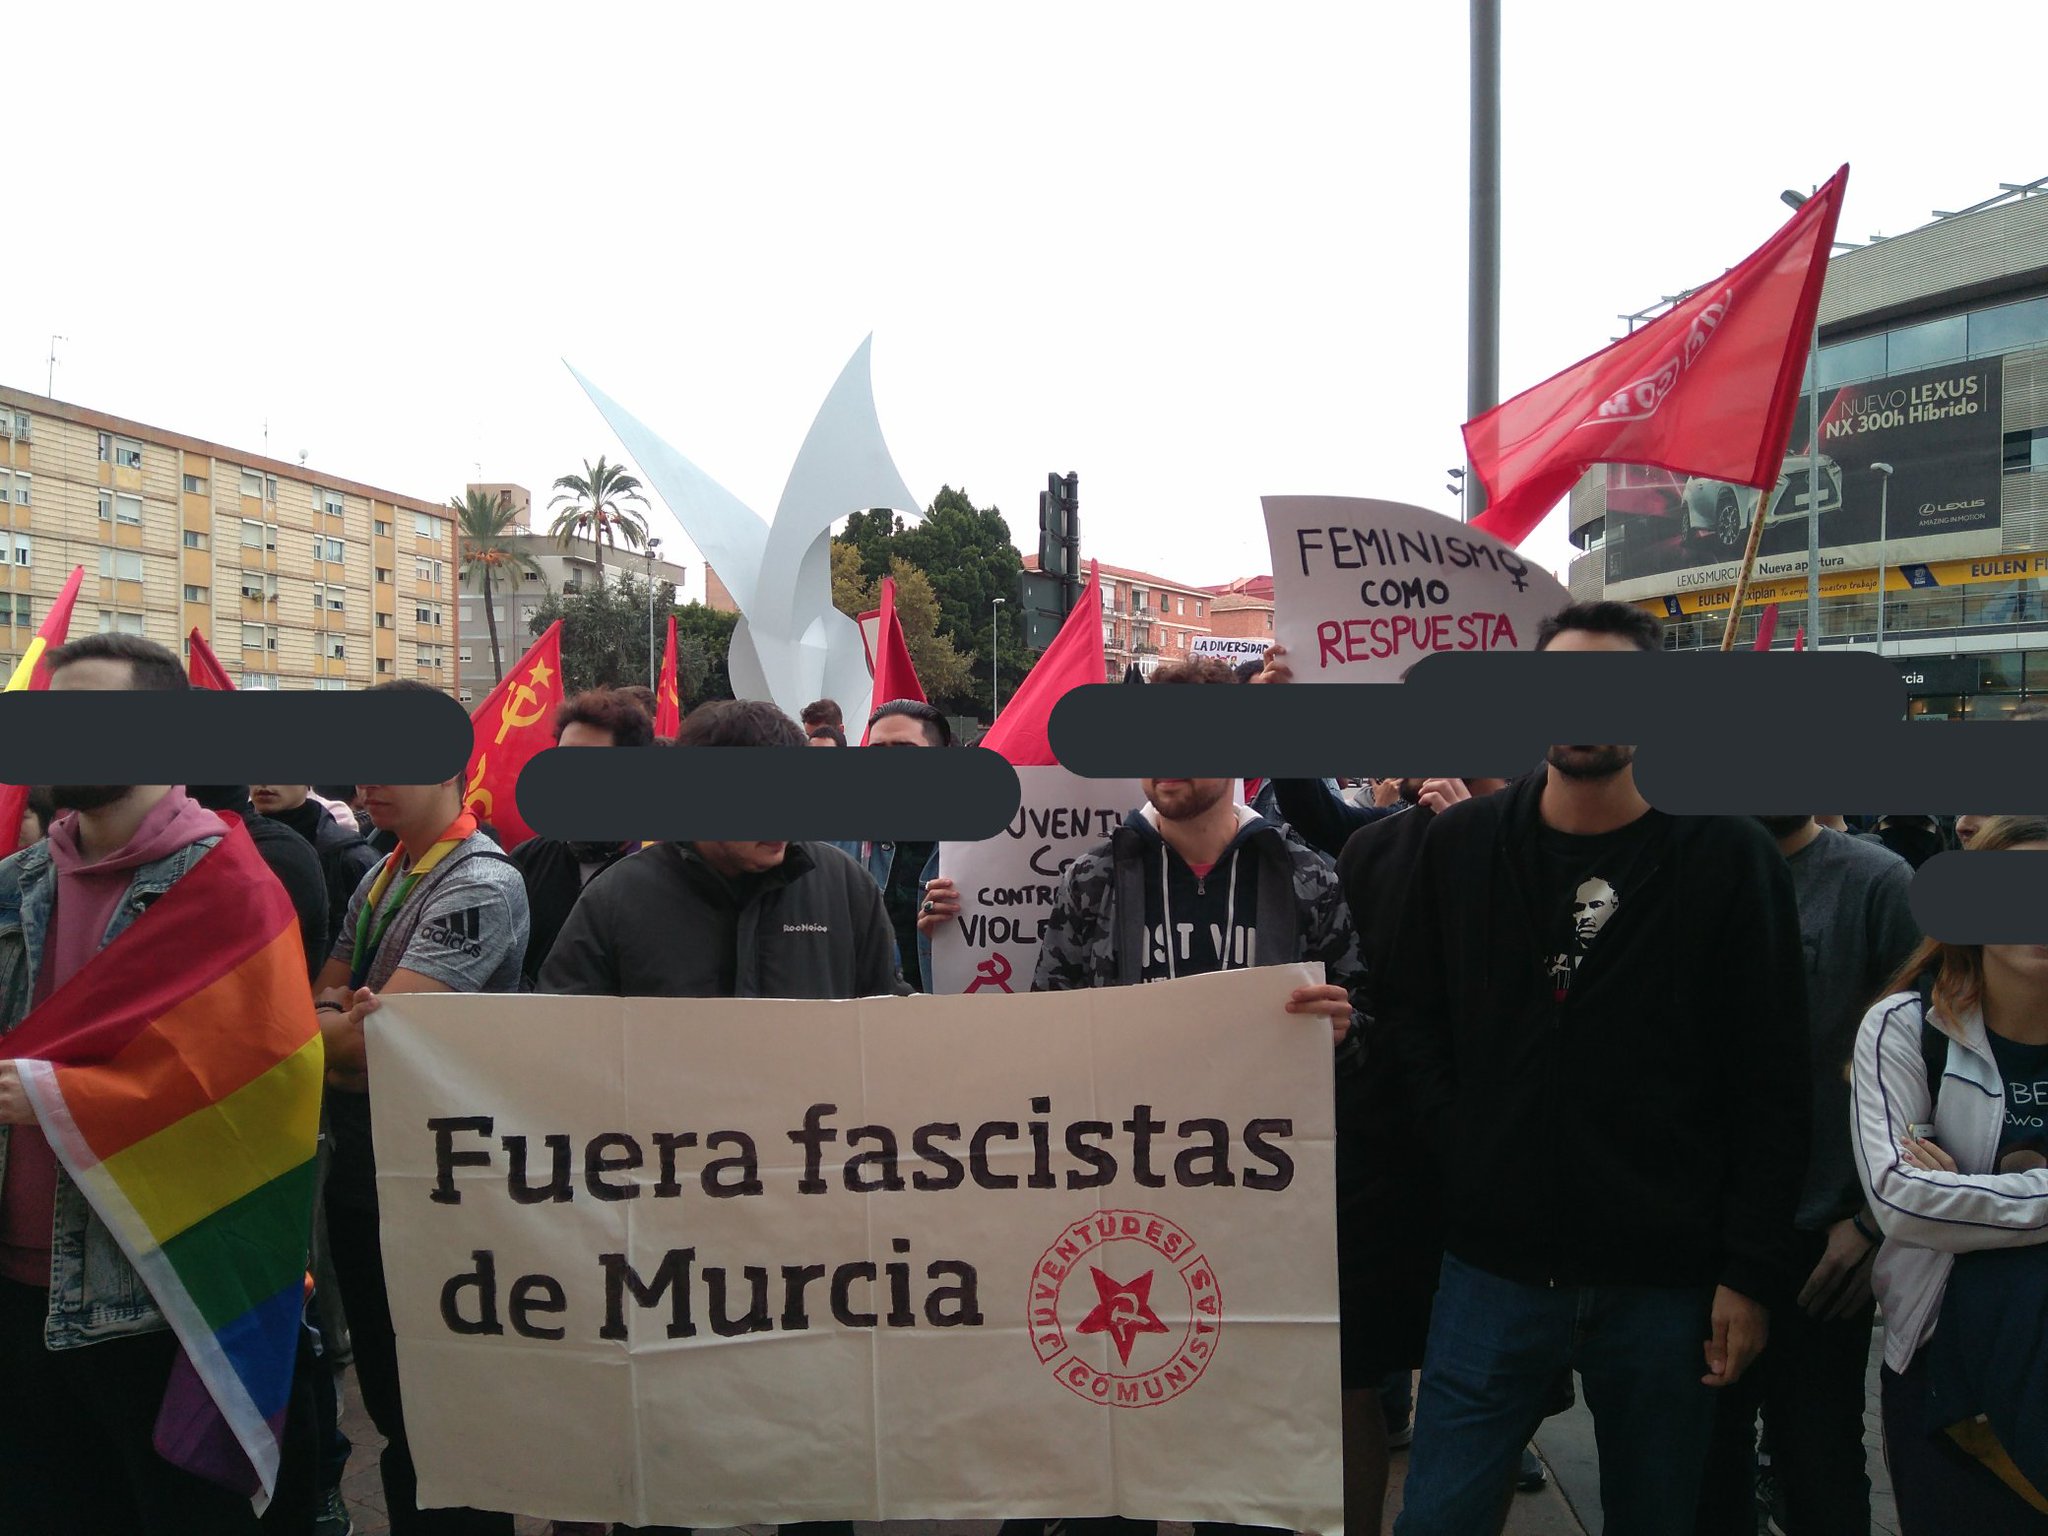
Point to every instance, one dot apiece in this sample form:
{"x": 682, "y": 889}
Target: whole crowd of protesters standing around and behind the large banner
{"x": 1666, "y": 1111}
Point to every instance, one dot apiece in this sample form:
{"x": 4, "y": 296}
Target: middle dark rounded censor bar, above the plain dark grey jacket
{"x": 769, "y": 796}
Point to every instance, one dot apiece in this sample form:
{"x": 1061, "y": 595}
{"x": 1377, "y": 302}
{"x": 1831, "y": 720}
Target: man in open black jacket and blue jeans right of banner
{"x": 1603, "y": 1019}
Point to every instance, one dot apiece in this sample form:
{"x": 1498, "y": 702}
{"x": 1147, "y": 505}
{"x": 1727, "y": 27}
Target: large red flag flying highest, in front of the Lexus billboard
{"x": 1707, "y": 390}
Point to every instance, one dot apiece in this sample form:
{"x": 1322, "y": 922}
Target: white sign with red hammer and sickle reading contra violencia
{"x": 1009, "y": 884}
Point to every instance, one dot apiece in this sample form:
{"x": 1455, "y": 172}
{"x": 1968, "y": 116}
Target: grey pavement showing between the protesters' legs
{"x": 1570, "y": 1506}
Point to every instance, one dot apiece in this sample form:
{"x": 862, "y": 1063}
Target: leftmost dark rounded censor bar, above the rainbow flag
{"x": 200, "y": 736}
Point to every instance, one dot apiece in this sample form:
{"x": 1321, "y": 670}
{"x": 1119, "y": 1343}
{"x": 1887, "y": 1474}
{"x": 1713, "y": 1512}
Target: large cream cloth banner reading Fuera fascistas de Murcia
{"x": 718, "y": 1263}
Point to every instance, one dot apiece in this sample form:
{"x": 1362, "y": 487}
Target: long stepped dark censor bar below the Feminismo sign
{"x": 1717, "y": 734}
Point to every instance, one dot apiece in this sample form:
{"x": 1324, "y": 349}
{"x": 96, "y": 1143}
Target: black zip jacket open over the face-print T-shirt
{"x": 1652, "y": 1129}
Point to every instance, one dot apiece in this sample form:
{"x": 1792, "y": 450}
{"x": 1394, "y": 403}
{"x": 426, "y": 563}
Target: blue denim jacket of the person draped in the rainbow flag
{"x": 93, "y": 1289}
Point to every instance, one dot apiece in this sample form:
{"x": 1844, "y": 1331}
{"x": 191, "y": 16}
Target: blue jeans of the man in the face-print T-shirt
{"x": 1488, "y": 1377}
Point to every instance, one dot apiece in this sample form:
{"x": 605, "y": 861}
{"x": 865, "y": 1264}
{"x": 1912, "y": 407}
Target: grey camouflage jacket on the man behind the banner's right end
{"x": 1099, "y": 931}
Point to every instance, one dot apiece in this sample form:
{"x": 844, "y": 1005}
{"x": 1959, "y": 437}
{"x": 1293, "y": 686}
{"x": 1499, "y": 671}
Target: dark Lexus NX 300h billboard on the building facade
{"x": 1940, "y": 433}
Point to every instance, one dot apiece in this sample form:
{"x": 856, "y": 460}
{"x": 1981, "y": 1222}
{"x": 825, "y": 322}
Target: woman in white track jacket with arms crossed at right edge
{"x": 1951, "y": 1082}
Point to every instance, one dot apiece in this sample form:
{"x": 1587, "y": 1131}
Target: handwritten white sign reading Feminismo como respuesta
{"x": 1363, "y": 591}
